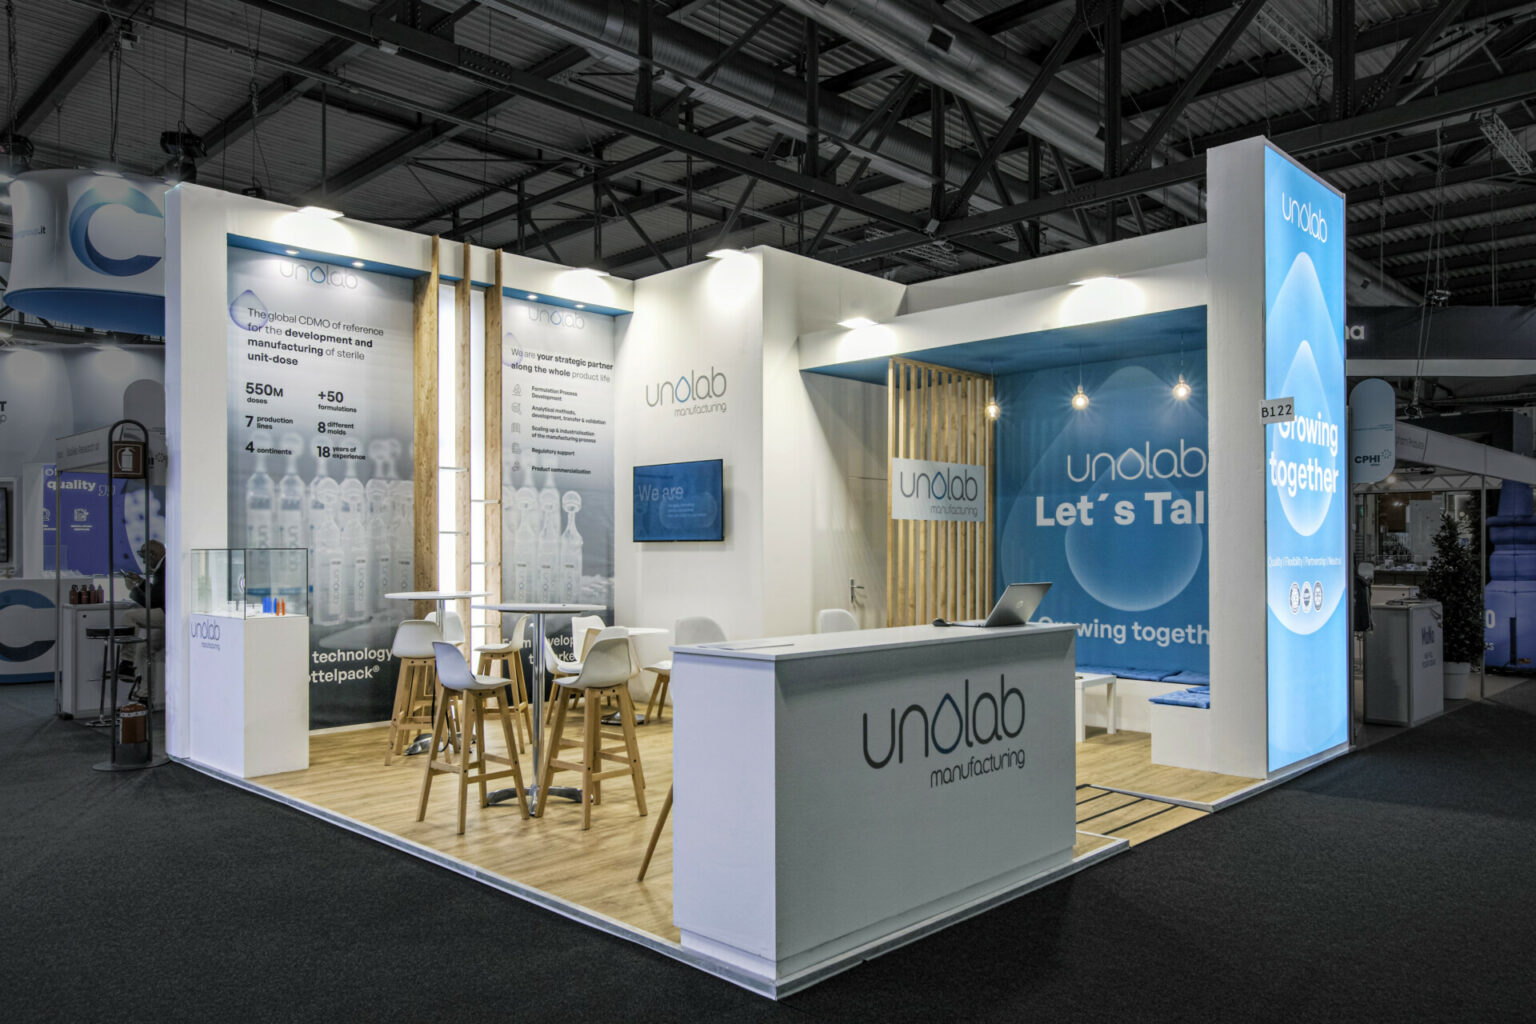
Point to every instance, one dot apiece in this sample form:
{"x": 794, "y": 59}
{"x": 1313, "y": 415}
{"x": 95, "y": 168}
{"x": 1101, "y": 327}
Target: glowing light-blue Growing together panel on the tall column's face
{"x": 1306, "y": 471}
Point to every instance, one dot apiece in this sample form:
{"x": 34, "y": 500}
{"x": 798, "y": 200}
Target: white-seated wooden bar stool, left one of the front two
{"x": 474, "y": 761}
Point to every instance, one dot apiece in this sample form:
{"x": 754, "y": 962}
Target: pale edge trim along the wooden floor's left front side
{"x": 529, "y": 894}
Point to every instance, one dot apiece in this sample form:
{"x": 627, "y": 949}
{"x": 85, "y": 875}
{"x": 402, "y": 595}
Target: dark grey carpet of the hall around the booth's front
{"x": 1392, "y": 885}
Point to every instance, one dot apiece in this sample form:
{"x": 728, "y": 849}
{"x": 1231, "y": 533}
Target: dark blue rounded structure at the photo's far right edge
{"x": 1511, "y": 598}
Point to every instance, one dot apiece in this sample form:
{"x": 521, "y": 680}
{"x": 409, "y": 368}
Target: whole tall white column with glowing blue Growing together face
{"x": 1277, "y": 331}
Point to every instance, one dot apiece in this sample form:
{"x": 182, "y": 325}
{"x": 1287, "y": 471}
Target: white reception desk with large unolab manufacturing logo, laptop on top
{"x": 838, "y": 794}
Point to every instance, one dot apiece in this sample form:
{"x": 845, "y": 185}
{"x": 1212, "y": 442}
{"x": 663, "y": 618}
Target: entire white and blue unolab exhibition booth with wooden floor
{"x": 737, "y": 497}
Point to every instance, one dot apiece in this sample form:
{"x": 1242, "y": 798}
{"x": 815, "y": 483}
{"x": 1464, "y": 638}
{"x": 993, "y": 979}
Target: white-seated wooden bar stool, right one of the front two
{"x": 604, "y": 673}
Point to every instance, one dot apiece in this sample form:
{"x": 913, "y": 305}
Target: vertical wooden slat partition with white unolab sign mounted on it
{"x": 938, "y": 569}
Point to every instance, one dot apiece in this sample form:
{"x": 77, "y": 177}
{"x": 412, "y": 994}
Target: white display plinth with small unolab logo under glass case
{"x": 250, "y": 710}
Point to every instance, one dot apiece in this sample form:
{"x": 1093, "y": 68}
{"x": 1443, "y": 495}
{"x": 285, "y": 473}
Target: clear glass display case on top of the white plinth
{"x": 250, "y": 583}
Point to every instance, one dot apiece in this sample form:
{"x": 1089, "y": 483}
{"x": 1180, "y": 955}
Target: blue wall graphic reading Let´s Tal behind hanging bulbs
{"x": 1110, "y": 504}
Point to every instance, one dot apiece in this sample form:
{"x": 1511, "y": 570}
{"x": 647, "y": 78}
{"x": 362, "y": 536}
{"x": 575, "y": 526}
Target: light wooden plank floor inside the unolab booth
{"x": 597, "y": 868}
